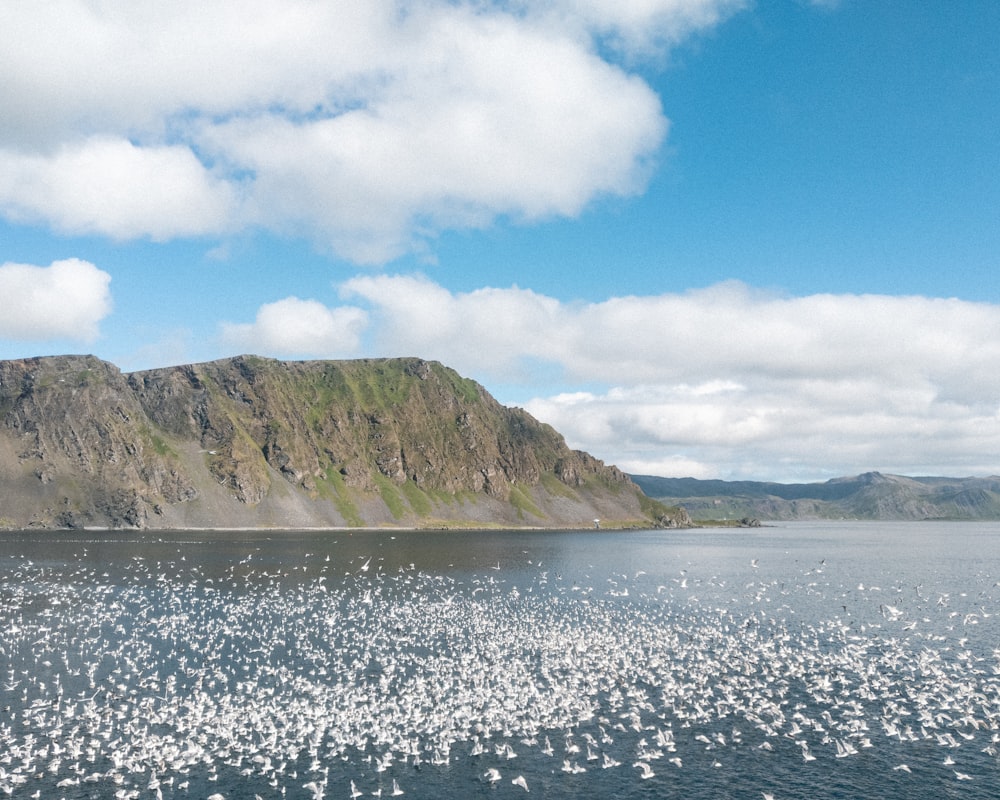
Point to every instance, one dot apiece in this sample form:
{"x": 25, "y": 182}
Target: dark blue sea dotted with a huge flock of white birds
{"x": 798, "y": 660}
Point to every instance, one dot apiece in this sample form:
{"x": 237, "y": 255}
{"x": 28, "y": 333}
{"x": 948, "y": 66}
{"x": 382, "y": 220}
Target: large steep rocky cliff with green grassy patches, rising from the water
{"x": 254, "y": 442}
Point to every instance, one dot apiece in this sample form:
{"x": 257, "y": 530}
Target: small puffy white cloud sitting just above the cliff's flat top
{"x": 294, "y": 327}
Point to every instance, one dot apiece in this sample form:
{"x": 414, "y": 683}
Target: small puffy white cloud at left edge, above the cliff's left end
{"x": 66, "y": 300}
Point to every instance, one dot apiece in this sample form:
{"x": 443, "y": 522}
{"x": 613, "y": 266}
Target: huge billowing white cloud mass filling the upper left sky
{"x": 369, "y": 126}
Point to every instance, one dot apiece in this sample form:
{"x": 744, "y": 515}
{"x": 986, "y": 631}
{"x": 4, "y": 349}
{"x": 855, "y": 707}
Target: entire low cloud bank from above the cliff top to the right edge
{"x": 724, "y": 381}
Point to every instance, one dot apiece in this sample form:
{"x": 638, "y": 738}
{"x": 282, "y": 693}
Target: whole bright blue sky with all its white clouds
{"x": 738, "y": 239}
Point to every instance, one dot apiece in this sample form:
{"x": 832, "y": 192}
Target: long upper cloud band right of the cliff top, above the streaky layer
{"x": 724, "y": 332}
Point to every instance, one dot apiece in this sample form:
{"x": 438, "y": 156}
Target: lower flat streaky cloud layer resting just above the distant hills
{"x": 781, "y": 432}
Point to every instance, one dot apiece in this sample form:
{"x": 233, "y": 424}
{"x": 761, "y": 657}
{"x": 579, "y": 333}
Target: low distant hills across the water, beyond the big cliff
{"x": 868, "y": 496}
